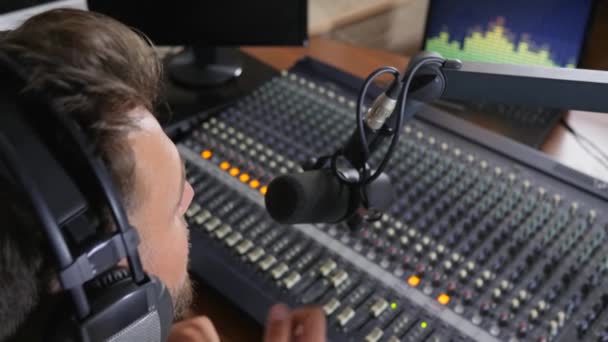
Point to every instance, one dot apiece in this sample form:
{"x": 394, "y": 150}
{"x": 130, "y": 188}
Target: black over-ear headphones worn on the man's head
{"x": 52, "y": 161}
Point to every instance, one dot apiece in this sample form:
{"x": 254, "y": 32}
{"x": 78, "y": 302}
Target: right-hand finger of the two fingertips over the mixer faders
{"x": 309, "y": 324}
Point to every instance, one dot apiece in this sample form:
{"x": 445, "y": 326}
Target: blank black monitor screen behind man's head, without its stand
{"x": 213, "y": 23}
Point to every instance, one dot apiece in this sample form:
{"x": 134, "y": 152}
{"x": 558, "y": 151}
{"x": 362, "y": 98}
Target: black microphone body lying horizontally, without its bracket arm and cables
{"x": 322, "y": 196}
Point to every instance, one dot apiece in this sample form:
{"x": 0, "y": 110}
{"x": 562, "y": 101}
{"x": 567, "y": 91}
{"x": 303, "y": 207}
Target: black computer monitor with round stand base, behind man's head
{"x": 204, "y": 26}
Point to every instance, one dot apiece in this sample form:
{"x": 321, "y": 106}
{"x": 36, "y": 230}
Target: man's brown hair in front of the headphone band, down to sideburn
{"x": 94, "y": 69}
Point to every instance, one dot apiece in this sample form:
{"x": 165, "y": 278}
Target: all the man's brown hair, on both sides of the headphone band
{"x": 95, "y": 70}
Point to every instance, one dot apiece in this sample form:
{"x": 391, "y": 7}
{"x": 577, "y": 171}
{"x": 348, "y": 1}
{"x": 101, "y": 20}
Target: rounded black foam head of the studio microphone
{"x": 309, "y": 197}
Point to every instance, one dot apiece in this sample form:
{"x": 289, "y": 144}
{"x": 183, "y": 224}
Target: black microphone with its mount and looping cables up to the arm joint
{"x": 343, "y": 186}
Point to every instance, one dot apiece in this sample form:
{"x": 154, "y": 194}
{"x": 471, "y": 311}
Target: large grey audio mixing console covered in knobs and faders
{"x": 477, "y": 246}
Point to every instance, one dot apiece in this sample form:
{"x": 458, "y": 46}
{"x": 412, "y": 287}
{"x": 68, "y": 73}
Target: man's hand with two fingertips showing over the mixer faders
{"x": 299, "y": 325}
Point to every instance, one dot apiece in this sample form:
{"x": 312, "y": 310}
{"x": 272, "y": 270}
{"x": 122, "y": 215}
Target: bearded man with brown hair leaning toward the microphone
{"x": 108, "y": 79}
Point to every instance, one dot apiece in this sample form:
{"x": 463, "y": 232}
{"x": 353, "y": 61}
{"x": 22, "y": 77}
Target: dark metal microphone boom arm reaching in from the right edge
{"x": 562, "y": 88}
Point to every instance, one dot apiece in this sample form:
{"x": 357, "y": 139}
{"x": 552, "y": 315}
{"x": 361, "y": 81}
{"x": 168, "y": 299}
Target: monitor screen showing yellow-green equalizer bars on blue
{"x": 534, "y": 32}
